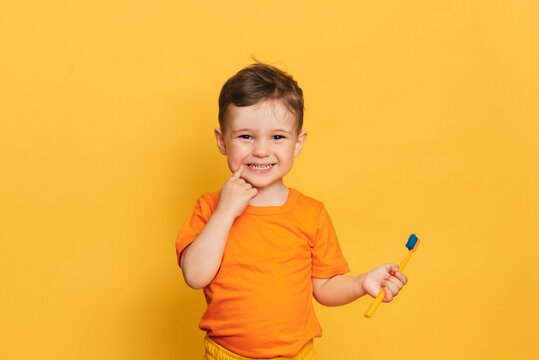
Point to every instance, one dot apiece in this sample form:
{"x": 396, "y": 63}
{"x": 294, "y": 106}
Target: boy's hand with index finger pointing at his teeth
{"x": 235, "y": 195}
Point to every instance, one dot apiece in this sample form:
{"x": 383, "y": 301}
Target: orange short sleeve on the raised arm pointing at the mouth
{"x": 194, "y": 224}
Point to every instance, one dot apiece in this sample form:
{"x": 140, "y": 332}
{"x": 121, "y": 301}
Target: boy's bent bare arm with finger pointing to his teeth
{"x": 200, "y": 261}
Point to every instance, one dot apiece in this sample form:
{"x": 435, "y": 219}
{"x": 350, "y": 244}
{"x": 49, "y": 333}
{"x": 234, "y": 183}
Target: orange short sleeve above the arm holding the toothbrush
{"x": 327, "y": 257}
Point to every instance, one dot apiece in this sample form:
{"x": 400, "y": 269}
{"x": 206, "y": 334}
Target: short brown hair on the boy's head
{"x": 259, "y": 82}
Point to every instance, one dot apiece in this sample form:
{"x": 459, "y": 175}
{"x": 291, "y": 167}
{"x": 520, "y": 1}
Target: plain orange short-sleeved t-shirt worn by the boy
{"x": 260, "y": 301}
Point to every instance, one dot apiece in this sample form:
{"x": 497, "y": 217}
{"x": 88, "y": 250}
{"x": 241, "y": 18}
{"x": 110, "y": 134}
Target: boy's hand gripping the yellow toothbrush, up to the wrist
{"x": 386, "y": 277}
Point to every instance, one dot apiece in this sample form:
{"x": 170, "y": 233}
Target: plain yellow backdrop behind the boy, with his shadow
{"x": 422, "y": 116}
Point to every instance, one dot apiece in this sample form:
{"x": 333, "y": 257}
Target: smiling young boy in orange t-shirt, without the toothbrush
{"x": 261, "y": 250}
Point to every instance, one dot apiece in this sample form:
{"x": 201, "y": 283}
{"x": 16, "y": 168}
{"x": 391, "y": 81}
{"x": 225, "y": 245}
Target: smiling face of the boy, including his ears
{"x": 263, "y": 138}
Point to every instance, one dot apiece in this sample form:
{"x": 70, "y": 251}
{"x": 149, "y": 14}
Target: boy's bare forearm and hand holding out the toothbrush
{"x": 342, "y": 289}
